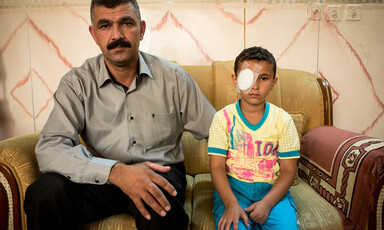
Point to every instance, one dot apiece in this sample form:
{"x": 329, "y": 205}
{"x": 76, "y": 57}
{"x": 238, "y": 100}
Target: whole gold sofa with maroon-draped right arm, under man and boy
{"x": 340, "y": 173}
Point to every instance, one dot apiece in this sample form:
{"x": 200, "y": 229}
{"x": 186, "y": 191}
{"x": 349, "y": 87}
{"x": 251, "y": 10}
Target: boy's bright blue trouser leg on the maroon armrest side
{"x": 287, "y": 221}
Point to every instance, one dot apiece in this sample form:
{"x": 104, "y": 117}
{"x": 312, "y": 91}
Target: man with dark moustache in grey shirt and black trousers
{"x": 130, "y": 109}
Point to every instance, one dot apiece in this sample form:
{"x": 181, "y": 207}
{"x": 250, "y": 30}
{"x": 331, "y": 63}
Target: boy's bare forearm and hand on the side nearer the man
{"x": 233, "y": 211}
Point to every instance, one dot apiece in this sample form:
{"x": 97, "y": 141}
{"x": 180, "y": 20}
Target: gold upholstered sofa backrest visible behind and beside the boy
{"x": 295, "y": 91}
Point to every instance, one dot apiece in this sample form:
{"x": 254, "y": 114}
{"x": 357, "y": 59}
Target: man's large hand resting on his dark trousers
{"x": 141, "y": 183}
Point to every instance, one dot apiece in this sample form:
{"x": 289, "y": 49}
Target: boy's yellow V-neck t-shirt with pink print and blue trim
{"x": 252, "y": 151}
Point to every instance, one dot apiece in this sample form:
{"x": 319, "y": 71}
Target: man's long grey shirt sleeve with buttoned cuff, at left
{"x": 59, "y": 149}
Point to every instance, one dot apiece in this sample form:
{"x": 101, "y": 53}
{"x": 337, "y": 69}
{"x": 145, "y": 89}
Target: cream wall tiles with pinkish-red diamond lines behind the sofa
{"x": 41, "y": 41}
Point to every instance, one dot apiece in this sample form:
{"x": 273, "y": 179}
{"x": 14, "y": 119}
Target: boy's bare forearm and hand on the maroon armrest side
{"x": 260, "y": 210}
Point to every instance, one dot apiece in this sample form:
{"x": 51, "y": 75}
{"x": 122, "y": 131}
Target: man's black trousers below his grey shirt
{"x": 55, "y": 202}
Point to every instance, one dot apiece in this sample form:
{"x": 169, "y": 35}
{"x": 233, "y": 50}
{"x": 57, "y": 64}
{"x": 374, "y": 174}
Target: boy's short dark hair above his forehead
{"x": 255, "y": 53}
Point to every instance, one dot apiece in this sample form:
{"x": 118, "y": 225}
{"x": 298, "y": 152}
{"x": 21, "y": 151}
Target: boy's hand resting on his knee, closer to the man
{"x": 231, "y": 215}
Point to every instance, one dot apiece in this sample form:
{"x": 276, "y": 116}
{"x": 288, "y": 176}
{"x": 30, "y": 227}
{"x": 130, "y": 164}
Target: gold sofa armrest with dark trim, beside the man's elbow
{"x": 18, "y": 169}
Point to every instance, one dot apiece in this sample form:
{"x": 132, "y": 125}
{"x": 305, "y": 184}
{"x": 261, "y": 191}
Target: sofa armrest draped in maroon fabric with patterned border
{"x": 345, "y": 168}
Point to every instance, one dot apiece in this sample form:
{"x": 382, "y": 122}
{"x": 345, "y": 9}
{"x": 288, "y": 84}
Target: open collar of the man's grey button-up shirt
{"x": 104, "y": 75}
